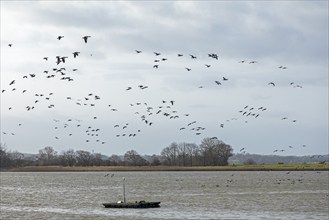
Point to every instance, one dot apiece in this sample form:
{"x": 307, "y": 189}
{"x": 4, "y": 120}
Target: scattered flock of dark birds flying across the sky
{"x": 146, "y": 112}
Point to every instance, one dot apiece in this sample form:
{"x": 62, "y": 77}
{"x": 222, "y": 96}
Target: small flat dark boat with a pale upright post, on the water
{"x": 124, "y": 204}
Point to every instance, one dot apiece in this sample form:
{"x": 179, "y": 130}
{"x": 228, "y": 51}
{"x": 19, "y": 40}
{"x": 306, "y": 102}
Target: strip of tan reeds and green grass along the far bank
{"x": 267, "y": 167}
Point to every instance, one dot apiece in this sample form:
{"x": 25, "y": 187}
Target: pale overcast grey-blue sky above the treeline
{"x": 264, "y": 87}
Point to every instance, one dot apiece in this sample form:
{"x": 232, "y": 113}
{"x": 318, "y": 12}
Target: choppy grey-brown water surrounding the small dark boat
{"x": 183, "y": 195}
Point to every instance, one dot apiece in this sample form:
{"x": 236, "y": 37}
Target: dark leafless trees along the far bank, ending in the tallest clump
{"x": 211, "y": 152}
